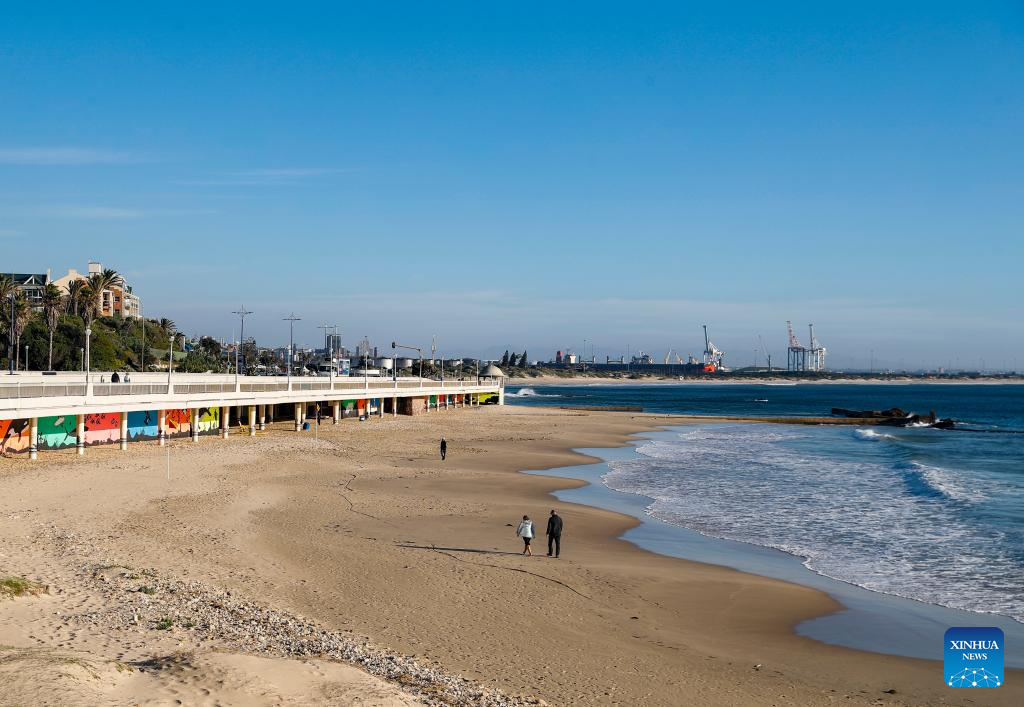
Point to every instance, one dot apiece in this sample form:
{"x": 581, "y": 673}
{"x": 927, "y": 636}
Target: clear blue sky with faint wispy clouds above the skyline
{"x": 532, "y": 176}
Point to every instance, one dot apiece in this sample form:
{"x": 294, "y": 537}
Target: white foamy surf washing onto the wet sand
{"x": 874, "y": 519}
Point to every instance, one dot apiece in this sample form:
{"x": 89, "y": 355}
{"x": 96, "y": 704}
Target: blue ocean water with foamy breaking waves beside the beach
{"x": 928, "y": 515}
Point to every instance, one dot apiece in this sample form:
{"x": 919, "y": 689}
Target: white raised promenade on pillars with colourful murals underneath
{"x": 47, "y": 412}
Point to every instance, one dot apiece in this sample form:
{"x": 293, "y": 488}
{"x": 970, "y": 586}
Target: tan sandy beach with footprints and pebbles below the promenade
{"x": 359, "y": 569}
